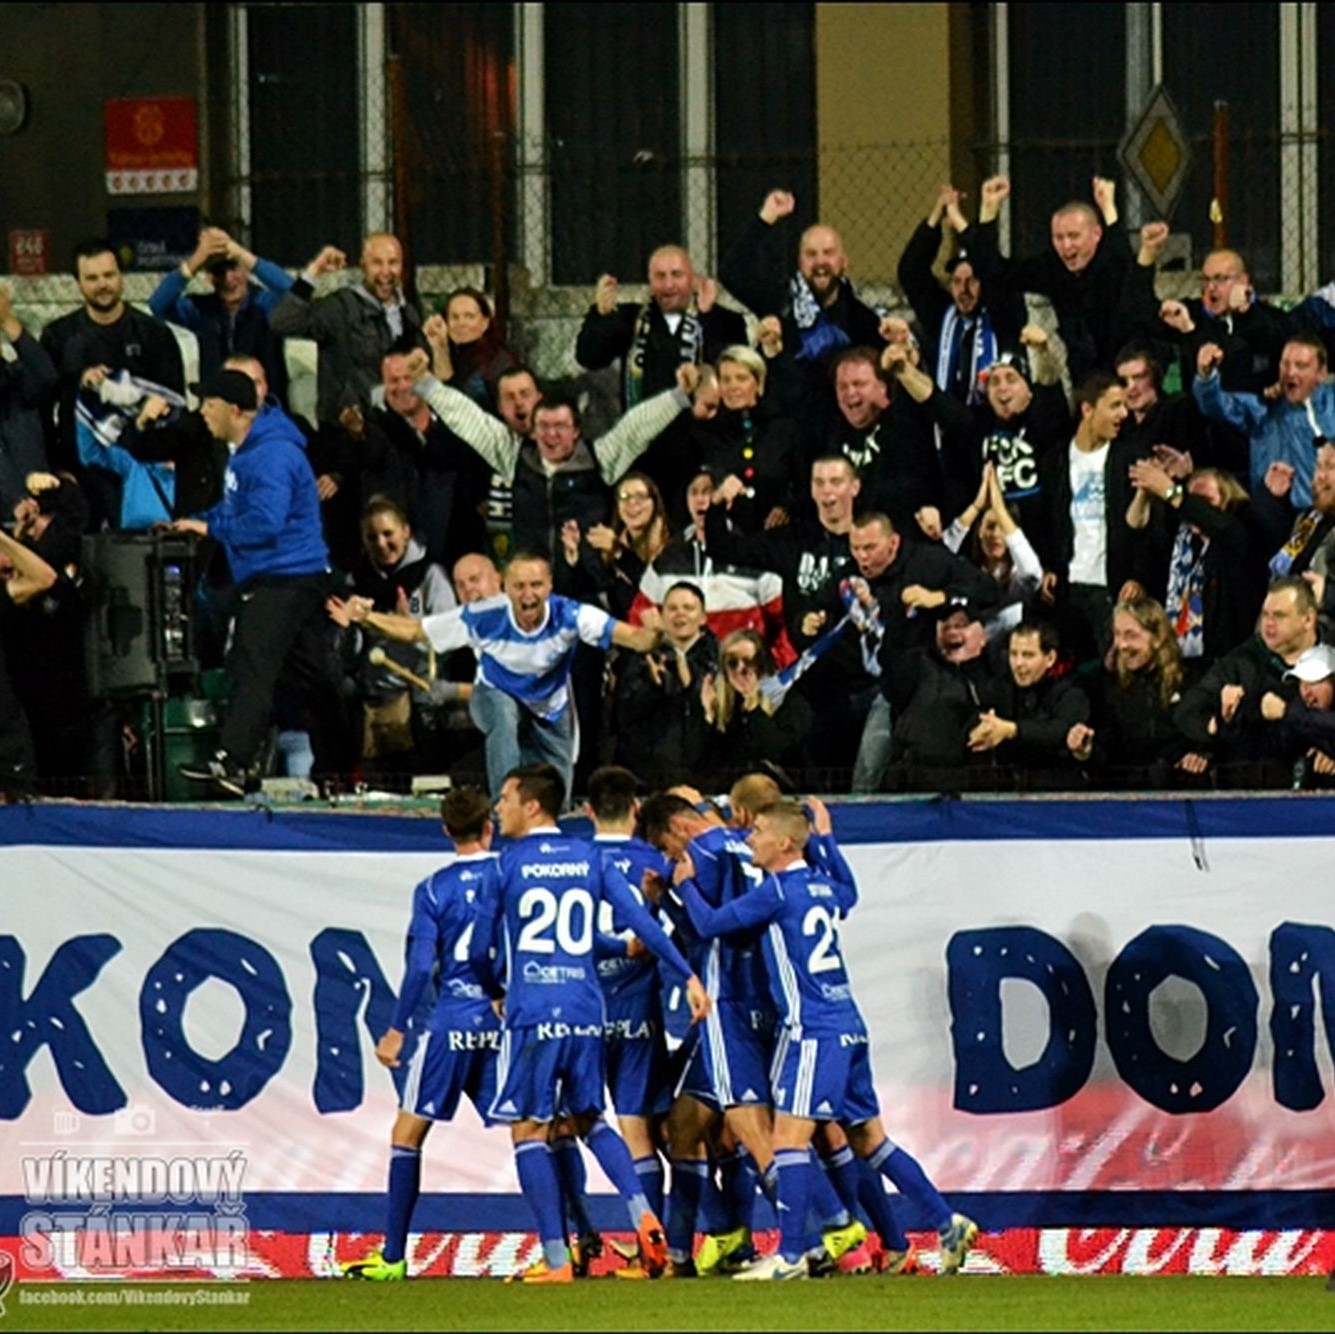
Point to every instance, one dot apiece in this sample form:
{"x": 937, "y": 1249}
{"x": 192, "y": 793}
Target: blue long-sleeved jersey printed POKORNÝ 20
{"x": 543, "y": 915}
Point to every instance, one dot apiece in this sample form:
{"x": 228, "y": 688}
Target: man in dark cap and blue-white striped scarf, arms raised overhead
{"x": 965, "y": 333}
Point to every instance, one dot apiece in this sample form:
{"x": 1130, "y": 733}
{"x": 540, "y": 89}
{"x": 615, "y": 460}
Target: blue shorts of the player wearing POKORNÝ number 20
{"x": 549, "y": 1070}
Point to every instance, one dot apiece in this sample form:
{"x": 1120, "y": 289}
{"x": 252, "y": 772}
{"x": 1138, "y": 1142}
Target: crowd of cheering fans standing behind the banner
{"x": 872, "y": 553}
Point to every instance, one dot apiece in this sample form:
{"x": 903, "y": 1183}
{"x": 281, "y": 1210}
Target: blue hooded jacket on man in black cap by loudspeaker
{"x": 269, "y": 519}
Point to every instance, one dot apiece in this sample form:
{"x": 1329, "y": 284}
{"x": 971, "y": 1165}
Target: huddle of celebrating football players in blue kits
{"x": 691, "y": 970}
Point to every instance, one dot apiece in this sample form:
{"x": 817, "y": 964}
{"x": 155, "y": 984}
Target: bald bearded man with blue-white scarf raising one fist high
{"x": 818, "y": 306}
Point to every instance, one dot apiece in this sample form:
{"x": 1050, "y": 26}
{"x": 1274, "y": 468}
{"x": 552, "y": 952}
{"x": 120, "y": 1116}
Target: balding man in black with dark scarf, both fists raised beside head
{"x": 682, "y": 322}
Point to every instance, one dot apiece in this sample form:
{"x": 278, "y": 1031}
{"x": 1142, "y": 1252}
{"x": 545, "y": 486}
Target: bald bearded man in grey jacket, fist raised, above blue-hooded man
{"x": 354, "y": 326}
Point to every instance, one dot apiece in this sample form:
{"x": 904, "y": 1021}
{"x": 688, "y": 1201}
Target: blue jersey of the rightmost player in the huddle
{"x": 800, "y": 907}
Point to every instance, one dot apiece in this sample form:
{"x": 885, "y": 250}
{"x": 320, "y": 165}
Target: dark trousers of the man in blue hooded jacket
{"x": 282, "y": 635}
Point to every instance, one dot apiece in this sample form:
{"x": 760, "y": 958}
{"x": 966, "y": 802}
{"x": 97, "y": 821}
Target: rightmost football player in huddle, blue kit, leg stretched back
{"x": 823, "y": 1065}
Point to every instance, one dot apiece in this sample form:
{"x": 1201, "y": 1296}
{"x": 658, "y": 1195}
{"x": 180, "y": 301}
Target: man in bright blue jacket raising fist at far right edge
{"x": 1285, "y": 429}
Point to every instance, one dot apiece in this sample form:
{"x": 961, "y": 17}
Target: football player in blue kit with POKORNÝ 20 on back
{"x": 540, "y": 918}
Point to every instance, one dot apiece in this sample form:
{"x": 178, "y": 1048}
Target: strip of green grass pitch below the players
{"x": 970, "y": 1303}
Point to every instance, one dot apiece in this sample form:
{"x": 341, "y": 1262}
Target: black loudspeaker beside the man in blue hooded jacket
{"x": 140, "y": 590}
